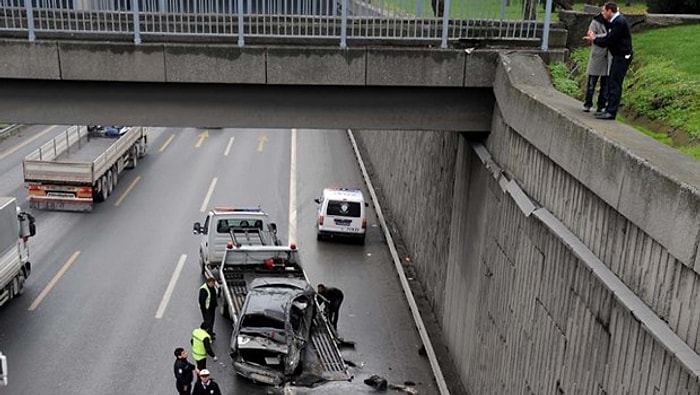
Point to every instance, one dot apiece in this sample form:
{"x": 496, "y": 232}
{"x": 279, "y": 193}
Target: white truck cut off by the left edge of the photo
{"x": 16, "y": 227}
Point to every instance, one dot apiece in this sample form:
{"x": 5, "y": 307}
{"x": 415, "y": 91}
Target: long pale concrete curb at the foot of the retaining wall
{"x": 430, "y": 352}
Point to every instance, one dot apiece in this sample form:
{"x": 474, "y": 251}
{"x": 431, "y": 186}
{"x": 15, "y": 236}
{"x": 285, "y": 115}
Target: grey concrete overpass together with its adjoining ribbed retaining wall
{"x": 560, "y": 253}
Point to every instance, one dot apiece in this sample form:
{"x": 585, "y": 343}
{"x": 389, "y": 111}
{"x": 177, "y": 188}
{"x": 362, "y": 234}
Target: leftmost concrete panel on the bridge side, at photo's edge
{"x": 22, "y": 59}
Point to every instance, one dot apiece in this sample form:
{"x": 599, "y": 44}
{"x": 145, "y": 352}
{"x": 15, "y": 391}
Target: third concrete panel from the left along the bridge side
{"x": 215, "y": 64}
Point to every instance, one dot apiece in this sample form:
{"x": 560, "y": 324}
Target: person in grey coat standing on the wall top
{"x": 598, "y": 66}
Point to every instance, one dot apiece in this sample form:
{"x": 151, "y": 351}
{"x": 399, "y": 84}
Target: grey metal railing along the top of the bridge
{"x": 343, "y": 20}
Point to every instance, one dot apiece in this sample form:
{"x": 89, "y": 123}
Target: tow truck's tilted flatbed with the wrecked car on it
{"x": 281, "y": 334}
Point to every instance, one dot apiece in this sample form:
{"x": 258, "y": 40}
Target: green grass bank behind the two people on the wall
{"x": 661, "y": 97}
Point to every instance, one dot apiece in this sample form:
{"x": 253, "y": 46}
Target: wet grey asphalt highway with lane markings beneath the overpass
{"x": 88, "y": 323}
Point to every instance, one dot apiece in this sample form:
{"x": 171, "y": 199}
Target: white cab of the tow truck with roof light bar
{"x": 249, "y": 225}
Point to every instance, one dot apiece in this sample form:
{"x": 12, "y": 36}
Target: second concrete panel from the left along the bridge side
{"x": 112, "y": 62}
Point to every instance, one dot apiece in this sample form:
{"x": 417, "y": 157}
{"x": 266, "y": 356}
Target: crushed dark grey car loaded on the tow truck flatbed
{"x": 273, "y": 329}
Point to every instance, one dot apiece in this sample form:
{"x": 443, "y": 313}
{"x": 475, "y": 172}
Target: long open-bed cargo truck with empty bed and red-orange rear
{"x": 81, "y": 166}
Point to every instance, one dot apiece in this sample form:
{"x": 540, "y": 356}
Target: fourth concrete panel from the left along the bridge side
{"x": 315, "y": 66}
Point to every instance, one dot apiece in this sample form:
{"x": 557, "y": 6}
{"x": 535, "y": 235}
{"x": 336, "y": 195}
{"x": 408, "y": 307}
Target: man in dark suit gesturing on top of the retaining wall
{"x": 619, "y": 43}
